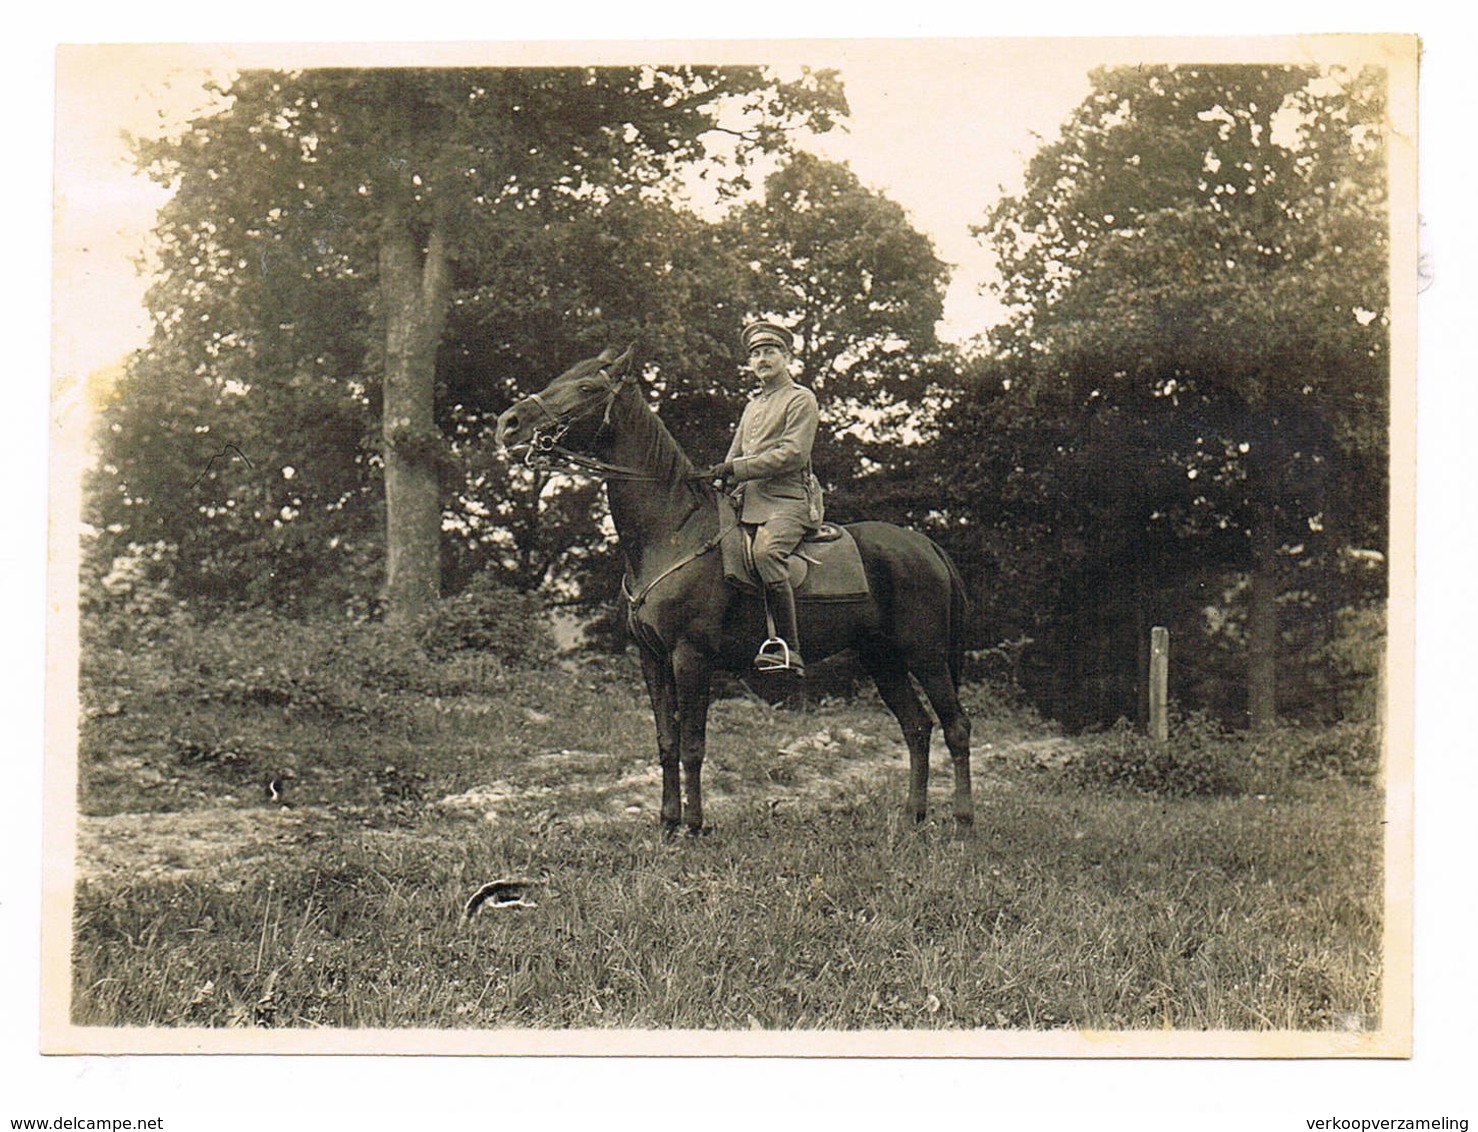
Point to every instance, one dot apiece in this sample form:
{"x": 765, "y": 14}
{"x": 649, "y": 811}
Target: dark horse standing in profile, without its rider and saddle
{"x": 689, "y": 623}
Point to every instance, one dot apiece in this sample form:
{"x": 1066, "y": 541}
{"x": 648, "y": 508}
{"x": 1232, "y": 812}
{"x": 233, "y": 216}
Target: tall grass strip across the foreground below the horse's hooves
{"x": 1202, "y": 916}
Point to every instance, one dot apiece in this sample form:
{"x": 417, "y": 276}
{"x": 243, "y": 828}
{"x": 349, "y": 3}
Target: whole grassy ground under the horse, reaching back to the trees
{"x": 208, "y": 902}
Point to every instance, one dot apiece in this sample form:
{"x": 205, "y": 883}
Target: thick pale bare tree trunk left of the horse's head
{"x": 415, "y": 295}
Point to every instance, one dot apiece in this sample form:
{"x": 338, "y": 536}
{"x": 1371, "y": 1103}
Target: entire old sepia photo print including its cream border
{"x": 753, "y": 549}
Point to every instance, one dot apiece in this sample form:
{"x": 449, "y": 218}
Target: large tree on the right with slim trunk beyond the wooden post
{"x": 1199, "y": 262}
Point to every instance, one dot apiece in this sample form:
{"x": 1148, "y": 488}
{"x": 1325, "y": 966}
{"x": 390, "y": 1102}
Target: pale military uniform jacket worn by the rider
{"x": 772, "y": 457}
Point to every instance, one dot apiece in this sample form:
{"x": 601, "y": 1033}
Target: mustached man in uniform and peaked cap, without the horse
{"x": 771, "y": 459}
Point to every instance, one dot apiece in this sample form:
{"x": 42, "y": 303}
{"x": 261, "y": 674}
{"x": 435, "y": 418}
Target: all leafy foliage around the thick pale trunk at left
{"x": 332, "y": 228}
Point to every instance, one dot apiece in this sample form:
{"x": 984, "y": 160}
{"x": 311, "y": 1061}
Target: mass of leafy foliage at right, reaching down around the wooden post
{"x": 1193, "y": 383}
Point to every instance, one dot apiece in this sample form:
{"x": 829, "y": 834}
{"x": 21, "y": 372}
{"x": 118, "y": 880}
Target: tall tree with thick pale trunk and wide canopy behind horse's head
{"x": 324, "y": 224}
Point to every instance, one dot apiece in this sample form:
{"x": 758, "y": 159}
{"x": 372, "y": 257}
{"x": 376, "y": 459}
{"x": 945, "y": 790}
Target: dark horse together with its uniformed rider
{"x": 688, "y": 620}
